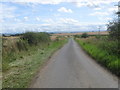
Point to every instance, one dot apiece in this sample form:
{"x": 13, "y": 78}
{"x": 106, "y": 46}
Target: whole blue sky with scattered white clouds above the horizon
{"x": 19, "y": 16}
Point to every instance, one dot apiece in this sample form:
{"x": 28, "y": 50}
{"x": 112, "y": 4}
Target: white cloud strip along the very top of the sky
{"x": 78, "y": 3}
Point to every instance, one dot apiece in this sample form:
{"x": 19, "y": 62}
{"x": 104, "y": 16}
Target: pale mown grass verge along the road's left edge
{"x": 23, "y": 70}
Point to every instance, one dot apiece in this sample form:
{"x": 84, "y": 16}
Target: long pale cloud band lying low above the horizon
{"x": 50, "y": 25}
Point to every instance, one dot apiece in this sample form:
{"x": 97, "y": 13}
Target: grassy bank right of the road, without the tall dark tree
{"x": 104, "y": 51}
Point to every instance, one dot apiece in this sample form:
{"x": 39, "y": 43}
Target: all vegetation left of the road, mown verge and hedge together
{"x": 24, "y": 55}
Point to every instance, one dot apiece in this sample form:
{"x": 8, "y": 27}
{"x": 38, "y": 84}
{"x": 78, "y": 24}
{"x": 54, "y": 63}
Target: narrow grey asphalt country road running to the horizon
{"x": 70, "y": 67}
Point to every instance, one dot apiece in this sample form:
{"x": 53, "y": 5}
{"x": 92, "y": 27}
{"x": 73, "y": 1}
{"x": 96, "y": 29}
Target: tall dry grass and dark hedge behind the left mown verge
{"x": 17, "y": 48}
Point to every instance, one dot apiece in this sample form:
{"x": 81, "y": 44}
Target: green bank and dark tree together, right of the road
{"x": 104, "y": 49}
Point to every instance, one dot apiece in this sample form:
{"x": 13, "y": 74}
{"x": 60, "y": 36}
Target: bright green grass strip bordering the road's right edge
{"x": 102, "y": 56}
